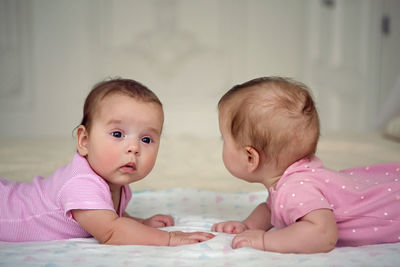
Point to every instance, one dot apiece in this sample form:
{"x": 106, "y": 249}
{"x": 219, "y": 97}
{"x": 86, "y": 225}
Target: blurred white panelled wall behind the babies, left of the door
{"x": 188, "y": 52}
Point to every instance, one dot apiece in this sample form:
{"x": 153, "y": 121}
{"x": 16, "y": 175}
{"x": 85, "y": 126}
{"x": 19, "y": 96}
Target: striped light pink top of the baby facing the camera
{"x": 41, "y": 210}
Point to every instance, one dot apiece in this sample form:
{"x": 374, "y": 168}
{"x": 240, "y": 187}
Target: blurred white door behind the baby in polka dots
{"x": 342, "y": 62}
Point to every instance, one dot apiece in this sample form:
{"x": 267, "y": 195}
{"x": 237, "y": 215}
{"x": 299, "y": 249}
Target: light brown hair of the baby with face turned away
{"x": 274, "y": 115}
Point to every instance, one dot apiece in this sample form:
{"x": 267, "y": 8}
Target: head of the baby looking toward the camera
{"x": 120, "y": 130}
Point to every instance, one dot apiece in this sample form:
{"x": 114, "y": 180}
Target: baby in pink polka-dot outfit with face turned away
{"x": 270, "y": 129}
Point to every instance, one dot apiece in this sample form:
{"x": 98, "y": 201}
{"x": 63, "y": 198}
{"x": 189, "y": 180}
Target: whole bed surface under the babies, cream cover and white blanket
{"x": 189, "y": 182}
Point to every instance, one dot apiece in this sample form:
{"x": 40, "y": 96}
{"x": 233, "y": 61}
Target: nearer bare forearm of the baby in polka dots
{"x": 315, "y": 232}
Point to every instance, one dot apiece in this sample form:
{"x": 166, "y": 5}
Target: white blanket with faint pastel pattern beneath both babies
{"x": 193, "y": 210}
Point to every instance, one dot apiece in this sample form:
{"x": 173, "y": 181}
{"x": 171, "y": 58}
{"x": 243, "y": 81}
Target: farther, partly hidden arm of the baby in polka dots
{"x": 260, "y": 218}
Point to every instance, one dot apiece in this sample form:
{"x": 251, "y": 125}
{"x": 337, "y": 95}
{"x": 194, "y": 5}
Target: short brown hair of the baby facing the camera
{"x": 115, "y": 86}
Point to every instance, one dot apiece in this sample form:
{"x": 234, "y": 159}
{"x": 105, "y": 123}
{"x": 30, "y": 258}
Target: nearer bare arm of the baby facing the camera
{"x": 108, "y": 228}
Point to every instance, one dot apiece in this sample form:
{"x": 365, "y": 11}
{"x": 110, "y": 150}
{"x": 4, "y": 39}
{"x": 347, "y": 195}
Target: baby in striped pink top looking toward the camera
{"x": 117, "y": 144}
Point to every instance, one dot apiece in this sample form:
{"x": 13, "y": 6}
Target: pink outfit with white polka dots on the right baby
{"x": 365, "y": 201}
